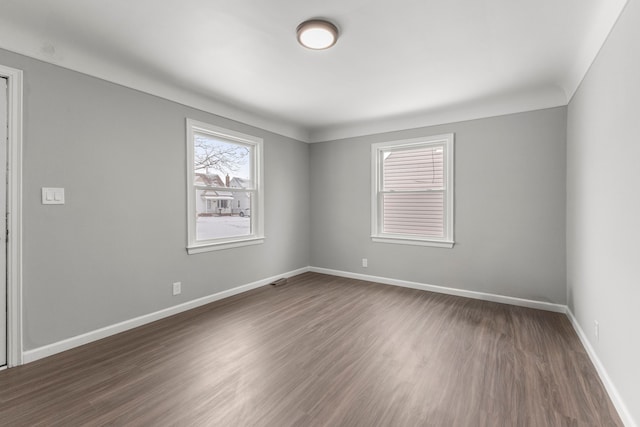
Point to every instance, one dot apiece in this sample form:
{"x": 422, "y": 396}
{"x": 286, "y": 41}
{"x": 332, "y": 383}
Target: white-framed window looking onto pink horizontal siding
{"x": 412, "y": 191}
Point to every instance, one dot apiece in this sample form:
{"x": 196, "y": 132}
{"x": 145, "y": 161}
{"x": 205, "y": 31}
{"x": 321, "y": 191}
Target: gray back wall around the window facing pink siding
{"x": 509, "y": 215}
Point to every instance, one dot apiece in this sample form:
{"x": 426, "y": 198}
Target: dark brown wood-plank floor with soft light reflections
{"x": 321, "y": 351}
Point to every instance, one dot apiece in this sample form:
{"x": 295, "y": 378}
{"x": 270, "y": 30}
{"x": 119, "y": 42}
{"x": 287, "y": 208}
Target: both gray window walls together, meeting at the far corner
{"x": 112, "y": 251}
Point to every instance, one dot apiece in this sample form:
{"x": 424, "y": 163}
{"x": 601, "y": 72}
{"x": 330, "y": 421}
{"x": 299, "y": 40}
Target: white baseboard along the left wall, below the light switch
{"x": 69, "y": 343}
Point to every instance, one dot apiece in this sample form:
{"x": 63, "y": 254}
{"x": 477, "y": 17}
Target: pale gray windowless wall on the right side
{"x": 603, "y": 205}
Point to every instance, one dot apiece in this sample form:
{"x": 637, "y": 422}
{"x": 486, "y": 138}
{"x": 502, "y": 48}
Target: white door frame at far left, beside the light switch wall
{"x": 14, "y": 215}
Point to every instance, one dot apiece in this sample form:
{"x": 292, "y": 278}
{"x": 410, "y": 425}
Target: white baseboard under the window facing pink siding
{"x": 541, "y": 305}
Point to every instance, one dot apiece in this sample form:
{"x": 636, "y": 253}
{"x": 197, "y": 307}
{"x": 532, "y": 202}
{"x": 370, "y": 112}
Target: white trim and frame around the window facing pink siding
{"x": 376, "y": 183}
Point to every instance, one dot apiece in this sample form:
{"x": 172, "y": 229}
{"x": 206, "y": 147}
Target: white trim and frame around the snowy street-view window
{"x": 257, "y": 207}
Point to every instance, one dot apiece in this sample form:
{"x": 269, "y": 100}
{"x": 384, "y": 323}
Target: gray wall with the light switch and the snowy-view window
{"x": 112, "y": 251}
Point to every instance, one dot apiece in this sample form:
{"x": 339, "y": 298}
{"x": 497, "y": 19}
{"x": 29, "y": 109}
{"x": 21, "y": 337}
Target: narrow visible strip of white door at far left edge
{"x": 3, "y": 220}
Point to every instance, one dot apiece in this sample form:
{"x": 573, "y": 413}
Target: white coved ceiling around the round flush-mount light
{"x": 398, "y": 64}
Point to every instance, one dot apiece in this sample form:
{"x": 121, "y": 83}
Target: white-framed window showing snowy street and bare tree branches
{"x": 225, "y": 198}
